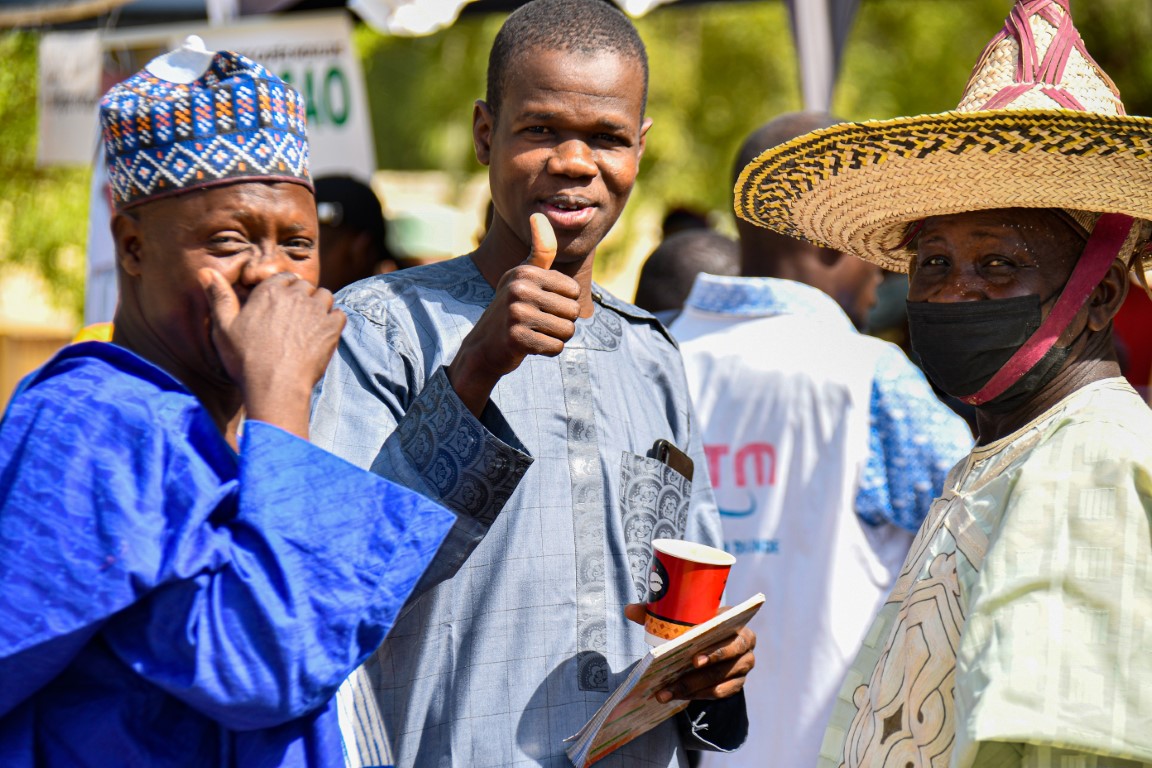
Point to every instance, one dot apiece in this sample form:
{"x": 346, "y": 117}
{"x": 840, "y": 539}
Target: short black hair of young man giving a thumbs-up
{"x": 585, "y": 27}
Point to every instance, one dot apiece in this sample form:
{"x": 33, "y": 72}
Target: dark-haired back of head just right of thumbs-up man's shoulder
{"x": 668, "y": 276}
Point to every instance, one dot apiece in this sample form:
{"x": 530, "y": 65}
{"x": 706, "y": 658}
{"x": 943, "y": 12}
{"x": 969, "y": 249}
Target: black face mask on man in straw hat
{"x": 962, "y": 345}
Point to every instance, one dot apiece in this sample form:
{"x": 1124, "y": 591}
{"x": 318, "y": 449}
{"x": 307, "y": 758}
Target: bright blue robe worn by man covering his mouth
{"x": 171, "y": 603}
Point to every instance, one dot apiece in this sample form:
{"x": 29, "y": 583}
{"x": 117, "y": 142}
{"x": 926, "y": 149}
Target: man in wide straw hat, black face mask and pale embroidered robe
{"x": 1018, "y": 633}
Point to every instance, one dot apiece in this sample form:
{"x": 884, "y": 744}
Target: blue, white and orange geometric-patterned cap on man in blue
{"x": 195, "y": 118}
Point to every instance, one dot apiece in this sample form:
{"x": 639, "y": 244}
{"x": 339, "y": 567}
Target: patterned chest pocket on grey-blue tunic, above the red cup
{"x": 654, "y": 505}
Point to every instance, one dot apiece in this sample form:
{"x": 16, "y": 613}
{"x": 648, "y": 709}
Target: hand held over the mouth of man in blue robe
{"x": 276, "y": 346}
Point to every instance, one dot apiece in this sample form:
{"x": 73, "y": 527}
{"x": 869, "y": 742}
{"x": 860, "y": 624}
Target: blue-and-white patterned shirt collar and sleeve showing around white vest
{"x": 914, "y": 439}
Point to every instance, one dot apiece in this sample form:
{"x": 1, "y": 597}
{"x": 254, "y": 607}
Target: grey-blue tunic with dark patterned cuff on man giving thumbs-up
{"x": 525, "y": 636}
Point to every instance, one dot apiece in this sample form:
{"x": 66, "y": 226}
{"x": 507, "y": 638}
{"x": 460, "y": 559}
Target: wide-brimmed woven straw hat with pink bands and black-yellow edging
{"x": 1040, "y": 126}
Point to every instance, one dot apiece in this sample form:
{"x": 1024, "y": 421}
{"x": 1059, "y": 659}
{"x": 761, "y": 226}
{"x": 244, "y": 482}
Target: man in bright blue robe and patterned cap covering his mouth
{"x": 178, "y": 591}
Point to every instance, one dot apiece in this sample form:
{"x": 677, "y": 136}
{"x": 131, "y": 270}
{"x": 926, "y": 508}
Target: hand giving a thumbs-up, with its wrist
{"x": 534, "y": 313}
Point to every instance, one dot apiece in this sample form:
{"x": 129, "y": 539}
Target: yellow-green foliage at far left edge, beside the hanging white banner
{"x": 43, "y": 211}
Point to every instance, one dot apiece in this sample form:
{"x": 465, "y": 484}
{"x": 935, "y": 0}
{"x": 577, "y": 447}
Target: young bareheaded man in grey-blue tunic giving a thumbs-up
{"x": 518, "y": 634}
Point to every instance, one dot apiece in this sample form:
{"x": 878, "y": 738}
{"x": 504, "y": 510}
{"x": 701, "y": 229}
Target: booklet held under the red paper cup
{"x": 633, "y": 710}
